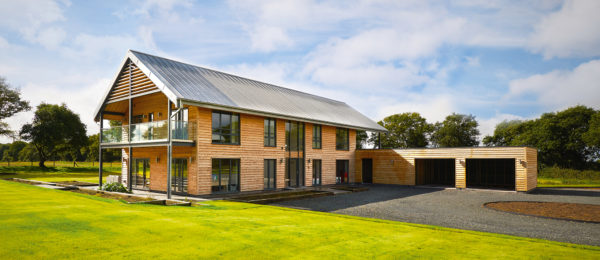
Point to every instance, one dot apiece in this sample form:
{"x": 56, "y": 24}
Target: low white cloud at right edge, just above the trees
{"x": 562, "y": 88}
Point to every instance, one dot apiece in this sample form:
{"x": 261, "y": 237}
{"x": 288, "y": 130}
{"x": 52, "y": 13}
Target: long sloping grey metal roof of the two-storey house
{"x": 205, "y": 87}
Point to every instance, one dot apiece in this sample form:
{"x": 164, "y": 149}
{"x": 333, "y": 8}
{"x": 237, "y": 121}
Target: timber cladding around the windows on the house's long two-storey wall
{"x": 252, "y": 152}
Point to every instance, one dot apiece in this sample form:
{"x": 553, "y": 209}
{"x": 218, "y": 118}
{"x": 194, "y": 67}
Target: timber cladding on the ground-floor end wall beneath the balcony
{"x": 158, "y": 165}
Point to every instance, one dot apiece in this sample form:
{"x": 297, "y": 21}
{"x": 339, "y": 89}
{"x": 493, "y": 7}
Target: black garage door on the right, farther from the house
{"x": 491, "y": 173}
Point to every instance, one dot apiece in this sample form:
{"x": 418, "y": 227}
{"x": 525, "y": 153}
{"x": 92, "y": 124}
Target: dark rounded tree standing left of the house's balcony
{"x": 55, "y": 129}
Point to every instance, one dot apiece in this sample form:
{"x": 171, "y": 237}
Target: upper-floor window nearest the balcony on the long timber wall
{"x": 225, "y": 128}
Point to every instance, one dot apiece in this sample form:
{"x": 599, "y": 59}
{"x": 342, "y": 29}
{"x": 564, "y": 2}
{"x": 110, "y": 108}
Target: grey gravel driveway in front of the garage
{"x": 461, "y": 209}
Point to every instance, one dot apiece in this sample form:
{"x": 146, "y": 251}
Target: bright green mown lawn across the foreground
{"x": 41, "y": 223}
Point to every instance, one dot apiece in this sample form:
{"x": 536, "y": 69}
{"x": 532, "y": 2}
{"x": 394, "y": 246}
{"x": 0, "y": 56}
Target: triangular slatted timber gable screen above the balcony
{"x": 132, "y": 81}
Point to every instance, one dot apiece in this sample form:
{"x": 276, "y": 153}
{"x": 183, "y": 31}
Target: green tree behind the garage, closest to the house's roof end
{"x": 406, "y": 130}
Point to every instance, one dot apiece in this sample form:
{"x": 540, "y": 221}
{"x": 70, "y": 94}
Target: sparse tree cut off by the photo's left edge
{"x": 10, "y": 104}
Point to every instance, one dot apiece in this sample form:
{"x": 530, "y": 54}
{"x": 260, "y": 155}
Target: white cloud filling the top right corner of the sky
{"x": 570, "y": 32}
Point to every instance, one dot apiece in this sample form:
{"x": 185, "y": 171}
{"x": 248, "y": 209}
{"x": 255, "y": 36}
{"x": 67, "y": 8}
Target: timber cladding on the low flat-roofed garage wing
{"x": 398, "y": 166}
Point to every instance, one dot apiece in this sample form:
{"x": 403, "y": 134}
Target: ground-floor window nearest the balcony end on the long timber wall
{"x": 225, "y": 175}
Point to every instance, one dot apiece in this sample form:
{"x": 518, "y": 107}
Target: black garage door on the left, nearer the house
{"x": 435, "y": 172}
